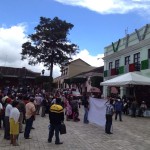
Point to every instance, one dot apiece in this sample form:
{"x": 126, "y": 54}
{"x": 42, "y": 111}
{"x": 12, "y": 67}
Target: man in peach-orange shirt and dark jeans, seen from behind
{"x": 30, "y": 117}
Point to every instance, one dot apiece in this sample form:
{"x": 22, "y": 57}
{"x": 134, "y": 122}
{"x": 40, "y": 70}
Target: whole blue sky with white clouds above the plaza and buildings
{"x": 97, "y": 24}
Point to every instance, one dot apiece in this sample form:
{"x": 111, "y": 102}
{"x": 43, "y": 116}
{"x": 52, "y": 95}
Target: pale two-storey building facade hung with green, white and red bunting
{"x": 131, "y": 53}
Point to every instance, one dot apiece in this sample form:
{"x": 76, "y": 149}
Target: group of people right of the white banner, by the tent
{"x": 117, "y": 106}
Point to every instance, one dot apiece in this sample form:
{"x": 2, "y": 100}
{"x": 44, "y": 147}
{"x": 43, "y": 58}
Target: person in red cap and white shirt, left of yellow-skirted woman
{"x": 7, "y": 115}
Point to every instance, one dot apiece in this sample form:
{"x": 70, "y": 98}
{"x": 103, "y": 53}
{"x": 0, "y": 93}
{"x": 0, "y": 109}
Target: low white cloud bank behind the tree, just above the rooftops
{"x": 11, "y": 40}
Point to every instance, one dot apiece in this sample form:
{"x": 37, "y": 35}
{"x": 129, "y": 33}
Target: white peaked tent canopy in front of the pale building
{"x": 130, "y": 78}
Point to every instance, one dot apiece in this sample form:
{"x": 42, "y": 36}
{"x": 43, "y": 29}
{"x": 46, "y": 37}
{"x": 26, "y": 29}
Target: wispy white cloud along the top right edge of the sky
{"x": 111, "y": 6}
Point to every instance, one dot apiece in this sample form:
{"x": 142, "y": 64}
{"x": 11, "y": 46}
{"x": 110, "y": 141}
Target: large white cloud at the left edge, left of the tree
{"x": 10, "y": 44}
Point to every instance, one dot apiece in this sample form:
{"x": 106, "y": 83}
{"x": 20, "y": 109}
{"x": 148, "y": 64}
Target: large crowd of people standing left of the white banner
{"x": 18, "y": 107}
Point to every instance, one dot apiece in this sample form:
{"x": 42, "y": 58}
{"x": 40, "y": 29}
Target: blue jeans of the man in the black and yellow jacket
{"x": 55, "y": 128}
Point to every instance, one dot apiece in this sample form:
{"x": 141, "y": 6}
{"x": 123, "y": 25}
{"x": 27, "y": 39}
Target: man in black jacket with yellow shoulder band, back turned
{"x": 56, "y": 117}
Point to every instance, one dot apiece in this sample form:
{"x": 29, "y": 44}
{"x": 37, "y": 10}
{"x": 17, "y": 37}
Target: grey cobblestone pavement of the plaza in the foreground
{"x": 131, "y": 134}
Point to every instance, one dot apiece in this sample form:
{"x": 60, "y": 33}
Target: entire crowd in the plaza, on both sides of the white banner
{"x": 18, "y": 107}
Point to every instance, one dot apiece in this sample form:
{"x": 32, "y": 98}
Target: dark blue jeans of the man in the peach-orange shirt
{"x": 29, "y": 123}
